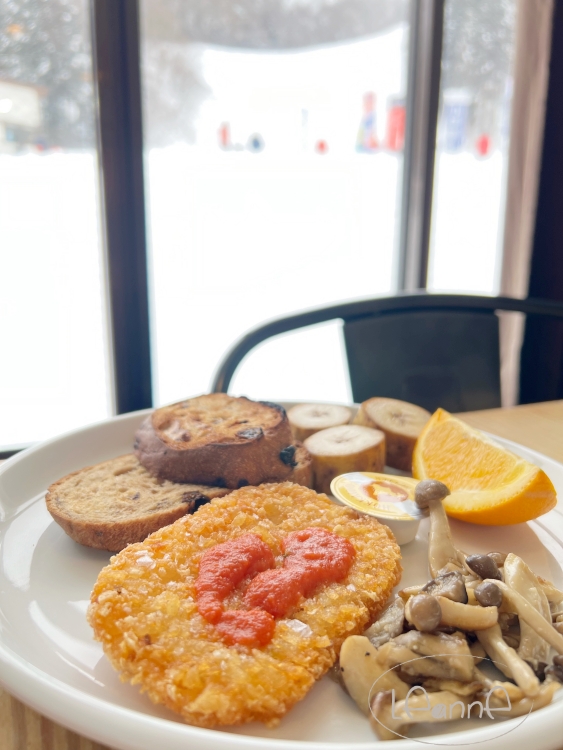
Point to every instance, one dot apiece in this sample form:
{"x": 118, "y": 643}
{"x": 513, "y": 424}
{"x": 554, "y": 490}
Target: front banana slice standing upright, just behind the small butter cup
{"x": 339, "y": 450}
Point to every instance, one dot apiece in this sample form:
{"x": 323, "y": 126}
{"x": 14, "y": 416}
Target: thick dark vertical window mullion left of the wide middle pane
{"x": 116, "y": 52}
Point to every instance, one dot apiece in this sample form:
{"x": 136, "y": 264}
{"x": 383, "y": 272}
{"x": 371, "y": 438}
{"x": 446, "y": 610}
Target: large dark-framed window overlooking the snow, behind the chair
{"x": 277, "y": 138}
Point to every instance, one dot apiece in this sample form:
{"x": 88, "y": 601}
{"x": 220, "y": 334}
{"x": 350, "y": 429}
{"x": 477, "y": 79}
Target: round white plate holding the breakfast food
{"x": 49, "y": 660}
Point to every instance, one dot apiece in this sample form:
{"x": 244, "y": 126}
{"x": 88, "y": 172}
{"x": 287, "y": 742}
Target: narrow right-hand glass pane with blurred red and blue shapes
{"x": 472, "y": 146}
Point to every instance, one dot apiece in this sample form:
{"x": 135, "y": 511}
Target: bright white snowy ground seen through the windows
{"x": 236, "y": 240}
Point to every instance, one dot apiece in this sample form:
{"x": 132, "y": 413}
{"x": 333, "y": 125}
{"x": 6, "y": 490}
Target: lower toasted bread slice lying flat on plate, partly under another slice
{"x": 117, "y": 502}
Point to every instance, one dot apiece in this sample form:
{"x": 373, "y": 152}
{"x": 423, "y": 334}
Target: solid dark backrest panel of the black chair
{"x": 430, "y": 358}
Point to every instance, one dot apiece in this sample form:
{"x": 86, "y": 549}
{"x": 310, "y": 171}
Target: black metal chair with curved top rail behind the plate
{"x": 429, "y": 349}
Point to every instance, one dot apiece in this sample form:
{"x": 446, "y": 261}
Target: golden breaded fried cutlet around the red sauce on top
{"x": 144, "y": 608}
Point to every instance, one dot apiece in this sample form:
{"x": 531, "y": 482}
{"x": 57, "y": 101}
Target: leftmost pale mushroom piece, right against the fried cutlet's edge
{"x": 363, "y": 675}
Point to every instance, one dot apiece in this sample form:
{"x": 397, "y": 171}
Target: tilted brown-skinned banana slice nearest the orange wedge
{"x": 401, "y": 422}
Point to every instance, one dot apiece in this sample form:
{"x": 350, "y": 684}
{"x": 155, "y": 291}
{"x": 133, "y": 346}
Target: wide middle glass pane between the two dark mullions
{"x": 274, "y": 135}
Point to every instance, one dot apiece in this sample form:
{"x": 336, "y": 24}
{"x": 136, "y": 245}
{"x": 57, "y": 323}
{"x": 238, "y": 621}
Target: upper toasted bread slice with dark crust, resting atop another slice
{"x": 217, "y": 440}
